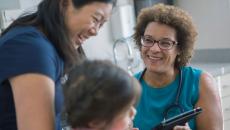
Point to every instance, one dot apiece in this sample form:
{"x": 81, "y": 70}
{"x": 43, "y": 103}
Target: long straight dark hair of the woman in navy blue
{"x": 49, "y": 17}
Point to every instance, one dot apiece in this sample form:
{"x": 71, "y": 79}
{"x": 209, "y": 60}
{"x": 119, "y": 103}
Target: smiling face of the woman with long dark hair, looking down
{"x": 85, "y": 22}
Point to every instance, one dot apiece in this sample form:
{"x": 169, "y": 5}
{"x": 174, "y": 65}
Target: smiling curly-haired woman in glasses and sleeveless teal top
{"x": 165, "y": 36}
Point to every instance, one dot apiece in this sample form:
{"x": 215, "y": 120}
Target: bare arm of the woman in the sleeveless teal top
{"x": 209, "y": 100}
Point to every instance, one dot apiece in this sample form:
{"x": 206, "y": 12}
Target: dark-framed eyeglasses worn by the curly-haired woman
{"x": 164, "y": 44}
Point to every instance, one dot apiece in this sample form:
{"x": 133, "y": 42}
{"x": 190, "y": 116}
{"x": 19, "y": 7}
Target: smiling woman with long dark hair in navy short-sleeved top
{"x": 36, "y": 50}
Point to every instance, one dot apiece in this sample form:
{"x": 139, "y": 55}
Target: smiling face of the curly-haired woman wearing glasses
{"x": 156, "y": 59}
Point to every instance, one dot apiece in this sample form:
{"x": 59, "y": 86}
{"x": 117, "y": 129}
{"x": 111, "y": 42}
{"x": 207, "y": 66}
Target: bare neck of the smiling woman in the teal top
{"x": 160, "y": 79}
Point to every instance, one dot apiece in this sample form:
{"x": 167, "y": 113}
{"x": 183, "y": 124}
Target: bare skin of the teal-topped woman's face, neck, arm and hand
{"x": 161, "y": 71}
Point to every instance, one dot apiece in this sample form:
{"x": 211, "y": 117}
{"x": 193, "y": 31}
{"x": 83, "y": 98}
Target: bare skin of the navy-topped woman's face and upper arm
{"x": 33, "y": 92}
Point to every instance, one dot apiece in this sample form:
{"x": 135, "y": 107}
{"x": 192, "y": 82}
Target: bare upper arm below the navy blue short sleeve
{"x": 34, "y": 101}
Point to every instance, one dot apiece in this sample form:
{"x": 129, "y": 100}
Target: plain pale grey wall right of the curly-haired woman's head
{"x": 212, "y": 18}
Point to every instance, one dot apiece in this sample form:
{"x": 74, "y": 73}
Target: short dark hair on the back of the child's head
{"x": 98, "y": 91}
